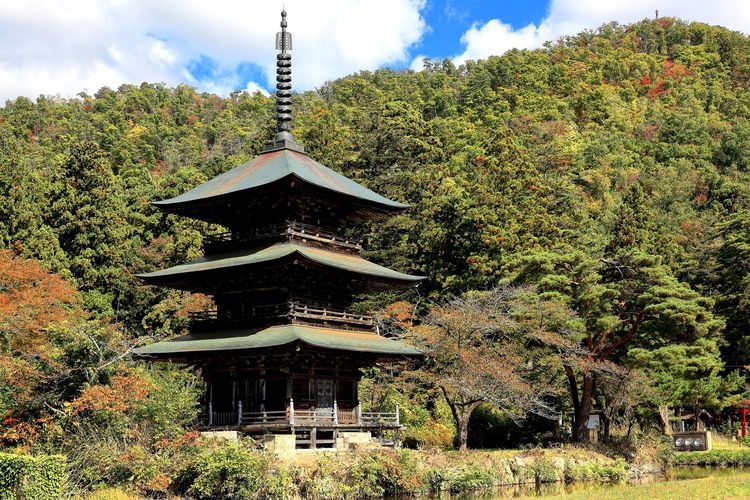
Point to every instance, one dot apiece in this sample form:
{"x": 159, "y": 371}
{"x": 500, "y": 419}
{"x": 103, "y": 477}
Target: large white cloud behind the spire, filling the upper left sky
{"x": 65, "y": 46}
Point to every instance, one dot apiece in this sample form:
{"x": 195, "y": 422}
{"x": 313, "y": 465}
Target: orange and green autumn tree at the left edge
{"x": 50, "y": 349}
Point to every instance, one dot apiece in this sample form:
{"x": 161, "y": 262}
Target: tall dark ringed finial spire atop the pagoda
{"x": 283, "y": 137}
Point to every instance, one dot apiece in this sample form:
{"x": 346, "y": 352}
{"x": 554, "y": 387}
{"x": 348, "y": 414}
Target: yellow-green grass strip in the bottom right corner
{"x": 720, "y": 483}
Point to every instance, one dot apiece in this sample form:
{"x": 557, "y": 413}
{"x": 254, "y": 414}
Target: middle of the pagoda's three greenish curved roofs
{"x": 277, "y": 252}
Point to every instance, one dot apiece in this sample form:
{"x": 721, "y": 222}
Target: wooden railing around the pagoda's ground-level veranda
{"x": 312, "y": 417}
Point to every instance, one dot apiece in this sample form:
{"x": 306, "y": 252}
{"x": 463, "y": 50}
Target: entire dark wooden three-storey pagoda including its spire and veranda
{"x": 281, "y": 352}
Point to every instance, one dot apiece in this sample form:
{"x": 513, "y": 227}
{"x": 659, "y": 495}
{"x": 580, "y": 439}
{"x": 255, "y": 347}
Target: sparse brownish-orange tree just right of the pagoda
{"x": 490, "y": 347}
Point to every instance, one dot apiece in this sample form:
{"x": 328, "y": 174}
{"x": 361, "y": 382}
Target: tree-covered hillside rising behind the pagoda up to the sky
{"x": 609, "y": 171}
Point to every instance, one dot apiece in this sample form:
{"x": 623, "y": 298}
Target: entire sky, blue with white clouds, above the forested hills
{"x": 63, "y": 47}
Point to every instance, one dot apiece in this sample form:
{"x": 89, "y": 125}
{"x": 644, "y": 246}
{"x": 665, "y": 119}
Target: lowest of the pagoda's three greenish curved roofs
{"x": 277, "y": 336}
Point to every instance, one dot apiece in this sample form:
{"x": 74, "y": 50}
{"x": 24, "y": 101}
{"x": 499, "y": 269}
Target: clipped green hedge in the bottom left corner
{"x": 41, "y": 477}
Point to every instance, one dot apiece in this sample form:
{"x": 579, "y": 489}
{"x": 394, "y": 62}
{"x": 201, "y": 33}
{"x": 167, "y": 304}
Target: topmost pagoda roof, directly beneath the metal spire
{"x": 272, "y": 166}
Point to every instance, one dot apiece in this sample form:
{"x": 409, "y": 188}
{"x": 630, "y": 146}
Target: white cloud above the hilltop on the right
{"x": 569, "y": 17}
